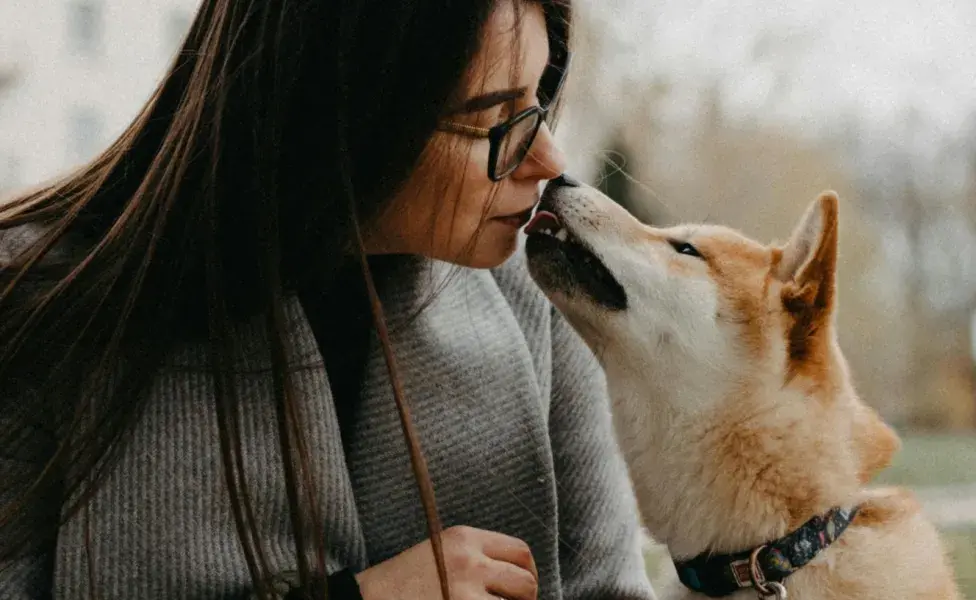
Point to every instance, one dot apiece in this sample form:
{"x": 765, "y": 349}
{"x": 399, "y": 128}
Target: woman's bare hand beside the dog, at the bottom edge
{"x": 481, "y": 565}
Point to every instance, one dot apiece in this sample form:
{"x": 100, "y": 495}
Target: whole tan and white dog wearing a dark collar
{"x": 733, "y": 403}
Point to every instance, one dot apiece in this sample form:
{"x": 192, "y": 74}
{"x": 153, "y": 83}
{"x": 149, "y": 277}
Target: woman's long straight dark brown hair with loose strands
{"x": 280, "y": 126}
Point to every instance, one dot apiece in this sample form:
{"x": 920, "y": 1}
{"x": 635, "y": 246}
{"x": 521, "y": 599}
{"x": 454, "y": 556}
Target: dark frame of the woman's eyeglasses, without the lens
{"x": 550, "y": 86}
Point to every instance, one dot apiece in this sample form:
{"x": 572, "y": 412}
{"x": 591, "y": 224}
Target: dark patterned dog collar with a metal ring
{"x": 718, "y": 575}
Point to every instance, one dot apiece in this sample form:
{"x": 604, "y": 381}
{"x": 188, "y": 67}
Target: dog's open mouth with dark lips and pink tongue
{"x": 567, "y": 262}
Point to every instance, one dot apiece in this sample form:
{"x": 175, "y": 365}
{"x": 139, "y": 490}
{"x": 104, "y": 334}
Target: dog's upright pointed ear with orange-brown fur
{"x": 807, "y": 264}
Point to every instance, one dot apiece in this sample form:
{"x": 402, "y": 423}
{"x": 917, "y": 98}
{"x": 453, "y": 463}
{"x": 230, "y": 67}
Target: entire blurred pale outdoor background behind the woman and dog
{"x": 685, "y": 110}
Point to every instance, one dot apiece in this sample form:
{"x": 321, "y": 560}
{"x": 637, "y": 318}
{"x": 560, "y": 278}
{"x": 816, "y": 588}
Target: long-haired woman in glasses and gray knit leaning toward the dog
{"x": 195, "y": 384}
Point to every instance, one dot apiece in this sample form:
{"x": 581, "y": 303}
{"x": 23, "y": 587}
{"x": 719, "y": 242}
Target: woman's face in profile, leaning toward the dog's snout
{"x": 449, "y": 209}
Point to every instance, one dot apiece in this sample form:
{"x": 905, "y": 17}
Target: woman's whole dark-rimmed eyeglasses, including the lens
{"x": 510, "y": 141}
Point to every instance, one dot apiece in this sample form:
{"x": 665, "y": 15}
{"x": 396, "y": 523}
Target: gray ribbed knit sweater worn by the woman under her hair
{"x": 512, "y": 412}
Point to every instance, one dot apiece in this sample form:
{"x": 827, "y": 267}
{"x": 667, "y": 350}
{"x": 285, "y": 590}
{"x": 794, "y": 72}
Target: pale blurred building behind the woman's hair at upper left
{"x": 73, "y": 73}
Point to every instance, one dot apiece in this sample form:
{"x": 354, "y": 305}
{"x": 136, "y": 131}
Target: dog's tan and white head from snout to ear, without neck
{"x": 702, "y": 293}
